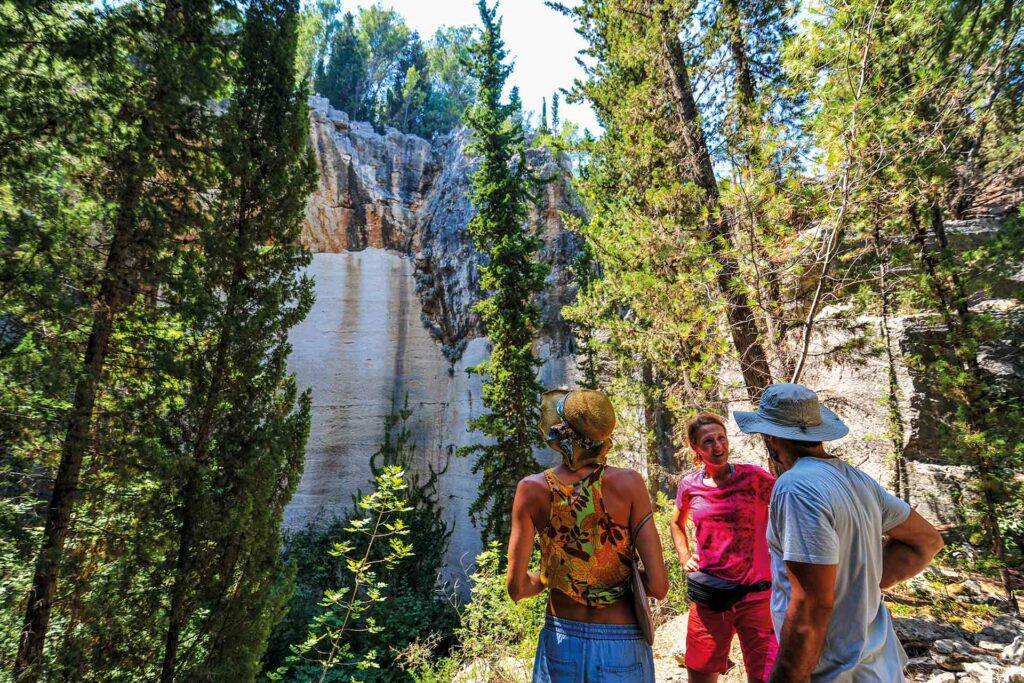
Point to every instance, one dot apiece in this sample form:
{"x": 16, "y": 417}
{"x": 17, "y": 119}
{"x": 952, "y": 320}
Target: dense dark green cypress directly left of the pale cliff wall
{"x": 240, "y": 292}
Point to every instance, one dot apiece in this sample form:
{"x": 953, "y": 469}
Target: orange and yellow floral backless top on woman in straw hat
{"x": 584, "y": 553}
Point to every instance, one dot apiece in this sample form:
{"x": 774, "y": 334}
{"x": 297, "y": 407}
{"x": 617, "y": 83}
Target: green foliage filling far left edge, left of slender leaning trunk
{"x": 52, "y": 135}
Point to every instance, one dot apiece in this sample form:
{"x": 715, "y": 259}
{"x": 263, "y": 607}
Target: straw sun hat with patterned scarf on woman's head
{"x": 590, "y": 417}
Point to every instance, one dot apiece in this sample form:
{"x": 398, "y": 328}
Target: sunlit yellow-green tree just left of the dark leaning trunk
{"x": 656, "y": 234}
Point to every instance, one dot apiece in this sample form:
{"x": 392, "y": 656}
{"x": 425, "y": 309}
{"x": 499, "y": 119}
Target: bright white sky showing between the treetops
{"x": 541, "y": 41}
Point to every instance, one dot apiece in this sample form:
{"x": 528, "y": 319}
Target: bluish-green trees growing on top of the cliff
{"x": 374, "y": 68}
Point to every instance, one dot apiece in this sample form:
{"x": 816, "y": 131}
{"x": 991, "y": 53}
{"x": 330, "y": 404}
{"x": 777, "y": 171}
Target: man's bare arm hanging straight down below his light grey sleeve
{"x": 806, "y": 622}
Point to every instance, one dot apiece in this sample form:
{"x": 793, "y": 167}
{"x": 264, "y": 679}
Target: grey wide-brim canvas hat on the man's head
{"x": 792, "y": 411}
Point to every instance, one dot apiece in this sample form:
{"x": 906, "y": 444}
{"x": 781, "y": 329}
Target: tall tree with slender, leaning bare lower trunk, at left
{"x": 155, "y": 173}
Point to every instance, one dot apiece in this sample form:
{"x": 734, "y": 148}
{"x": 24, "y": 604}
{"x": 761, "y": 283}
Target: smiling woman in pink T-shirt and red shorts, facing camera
{"x": 730, "y": 575}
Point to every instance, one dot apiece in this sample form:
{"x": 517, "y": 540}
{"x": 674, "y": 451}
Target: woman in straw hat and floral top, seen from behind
{"x": 588, "y": 518}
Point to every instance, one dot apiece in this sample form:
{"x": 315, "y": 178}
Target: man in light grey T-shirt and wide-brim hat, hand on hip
{"x": 829, "y": 561}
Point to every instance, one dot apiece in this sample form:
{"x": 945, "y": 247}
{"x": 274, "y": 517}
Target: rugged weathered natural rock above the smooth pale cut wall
{"x": 401, "y": 193}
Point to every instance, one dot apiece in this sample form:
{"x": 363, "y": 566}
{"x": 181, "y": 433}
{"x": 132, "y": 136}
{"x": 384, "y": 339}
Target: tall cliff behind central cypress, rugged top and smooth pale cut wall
{"x": 397, "y": 277}
